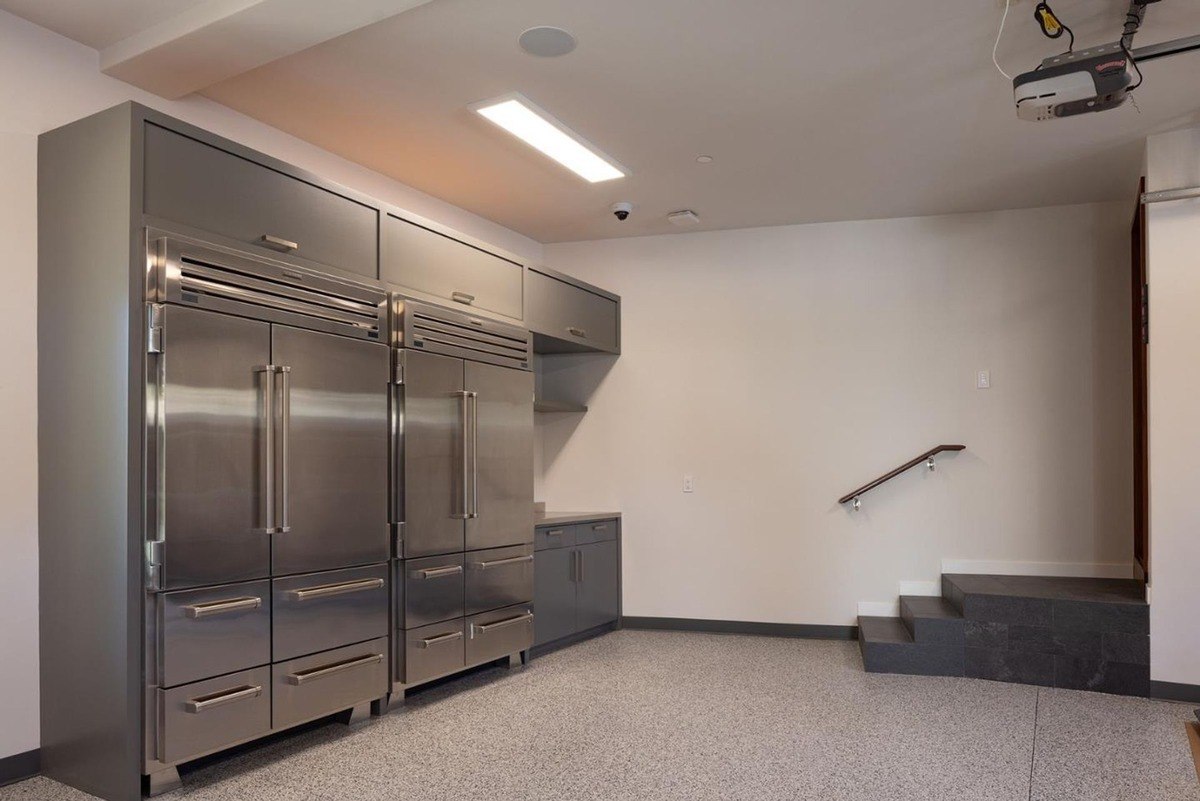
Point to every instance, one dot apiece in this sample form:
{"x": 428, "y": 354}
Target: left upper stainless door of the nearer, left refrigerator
{"x": 209, "y": 489}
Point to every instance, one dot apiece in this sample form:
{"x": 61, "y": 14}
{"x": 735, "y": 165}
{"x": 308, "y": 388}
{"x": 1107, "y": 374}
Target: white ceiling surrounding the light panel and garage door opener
{"x": 813, "y": 112}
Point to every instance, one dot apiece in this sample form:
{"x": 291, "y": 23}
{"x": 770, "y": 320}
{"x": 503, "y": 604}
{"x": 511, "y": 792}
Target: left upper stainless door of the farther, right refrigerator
{"x": 430, "y": 485}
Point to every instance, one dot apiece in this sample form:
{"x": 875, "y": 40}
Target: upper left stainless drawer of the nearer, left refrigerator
{"x": 209, "y": 633}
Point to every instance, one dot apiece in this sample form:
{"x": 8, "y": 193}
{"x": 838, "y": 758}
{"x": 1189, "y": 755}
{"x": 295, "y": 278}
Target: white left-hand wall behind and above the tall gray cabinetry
{"x": 47, "y": 81}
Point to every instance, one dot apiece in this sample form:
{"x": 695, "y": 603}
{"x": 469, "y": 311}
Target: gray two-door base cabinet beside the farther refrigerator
{"x": 577, "y": 581}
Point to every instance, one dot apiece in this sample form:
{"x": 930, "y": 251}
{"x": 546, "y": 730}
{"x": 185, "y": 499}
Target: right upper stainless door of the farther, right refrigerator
{"x": 501, "y": 456}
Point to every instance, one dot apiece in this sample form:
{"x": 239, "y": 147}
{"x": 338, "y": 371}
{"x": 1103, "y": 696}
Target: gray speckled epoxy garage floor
{"x": 655, "y": 715}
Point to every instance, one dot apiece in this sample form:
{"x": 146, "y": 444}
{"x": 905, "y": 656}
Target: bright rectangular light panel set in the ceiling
{"x": 536, "y": 128}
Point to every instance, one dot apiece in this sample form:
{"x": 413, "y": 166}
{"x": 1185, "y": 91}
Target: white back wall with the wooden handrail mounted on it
{"x": 785, "y": 366}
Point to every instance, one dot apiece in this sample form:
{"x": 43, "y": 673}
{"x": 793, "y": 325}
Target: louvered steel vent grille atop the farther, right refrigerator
{"x": 454, "y": 334}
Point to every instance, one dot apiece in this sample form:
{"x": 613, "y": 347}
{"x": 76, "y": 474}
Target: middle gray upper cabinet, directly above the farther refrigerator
{"x": 436, "y": 266}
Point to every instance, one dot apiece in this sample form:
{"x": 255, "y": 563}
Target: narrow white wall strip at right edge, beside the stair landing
{"x": 1174, "y": 384}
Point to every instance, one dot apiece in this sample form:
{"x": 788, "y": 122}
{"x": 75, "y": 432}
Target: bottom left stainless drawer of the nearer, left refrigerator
{"x": 207, "y": 716}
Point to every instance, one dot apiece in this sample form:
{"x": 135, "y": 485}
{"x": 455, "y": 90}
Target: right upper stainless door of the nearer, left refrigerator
{"x": 332, "y": 451}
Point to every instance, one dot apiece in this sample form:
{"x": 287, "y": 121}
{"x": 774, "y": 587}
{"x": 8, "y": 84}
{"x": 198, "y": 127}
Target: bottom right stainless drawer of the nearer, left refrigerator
{"x": 328, "y": 683}
